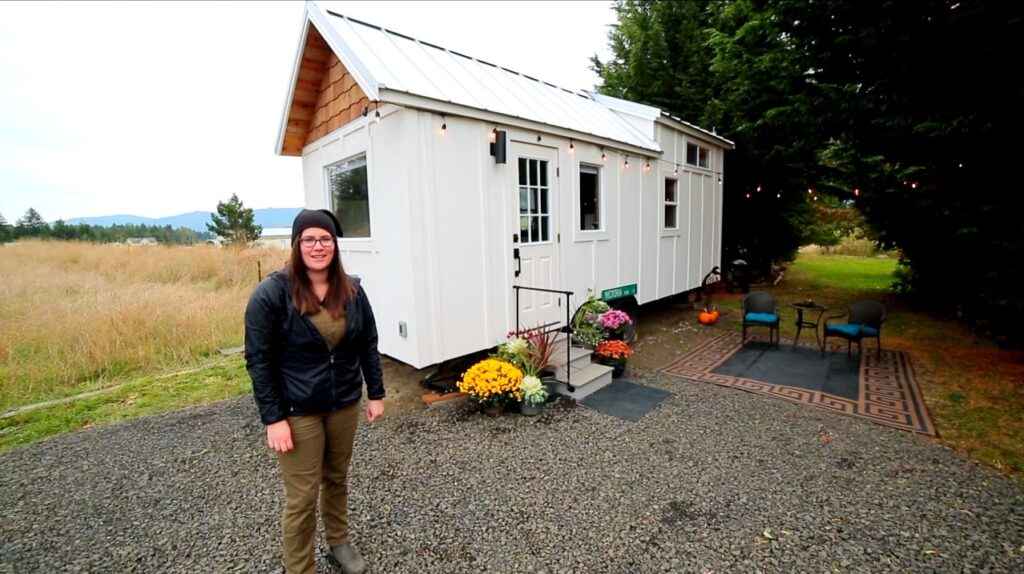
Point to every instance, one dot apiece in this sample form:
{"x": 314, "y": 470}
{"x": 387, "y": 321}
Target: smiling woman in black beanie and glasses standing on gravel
{"x": 311, "y": 341}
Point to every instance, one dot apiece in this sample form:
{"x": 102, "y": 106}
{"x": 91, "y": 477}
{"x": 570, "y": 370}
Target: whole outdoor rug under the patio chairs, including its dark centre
{"x": 882, "y": 390}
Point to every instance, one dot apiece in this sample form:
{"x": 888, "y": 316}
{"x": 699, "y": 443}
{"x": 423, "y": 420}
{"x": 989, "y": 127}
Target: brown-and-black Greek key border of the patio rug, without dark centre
{"x": 888, "y": 392}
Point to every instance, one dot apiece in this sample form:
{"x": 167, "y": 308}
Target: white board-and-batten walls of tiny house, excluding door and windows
{"x": 444, "y": 213}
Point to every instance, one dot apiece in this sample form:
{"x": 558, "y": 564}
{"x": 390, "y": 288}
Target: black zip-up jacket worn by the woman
{"x": 292, "y": 369}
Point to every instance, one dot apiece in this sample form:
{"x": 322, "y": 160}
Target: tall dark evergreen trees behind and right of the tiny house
{"x": 904, "y": 111}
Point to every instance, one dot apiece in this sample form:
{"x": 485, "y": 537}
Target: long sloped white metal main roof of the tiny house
{"x": 395, "y": 62}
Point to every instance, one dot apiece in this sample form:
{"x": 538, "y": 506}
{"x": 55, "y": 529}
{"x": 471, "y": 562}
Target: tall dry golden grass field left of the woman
{"x": 80, "y": 317}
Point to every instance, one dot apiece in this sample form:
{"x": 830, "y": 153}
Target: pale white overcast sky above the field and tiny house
{"x": 156, "y": 109}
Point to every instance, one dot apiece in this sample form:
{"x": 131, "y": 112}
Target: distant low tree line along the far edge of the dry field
{"x": 32, "y": 226}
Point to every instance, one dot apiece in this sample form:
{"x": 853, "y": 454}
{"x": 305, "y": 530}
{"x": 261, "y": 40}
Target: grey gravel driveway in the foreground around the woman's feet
{"x": 714, "y": 480}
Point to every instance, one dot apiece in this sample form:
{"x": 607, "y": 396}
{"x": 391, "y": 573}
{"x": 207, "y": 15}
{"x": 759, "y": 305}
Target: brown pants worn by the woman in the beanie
{"x": 323, "y": 451}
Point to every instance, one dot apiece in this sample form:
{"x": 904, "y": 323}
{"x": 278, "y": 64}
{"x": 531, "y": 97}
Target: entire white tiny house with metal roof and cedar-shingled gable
{"x": 456, "y": 180}
